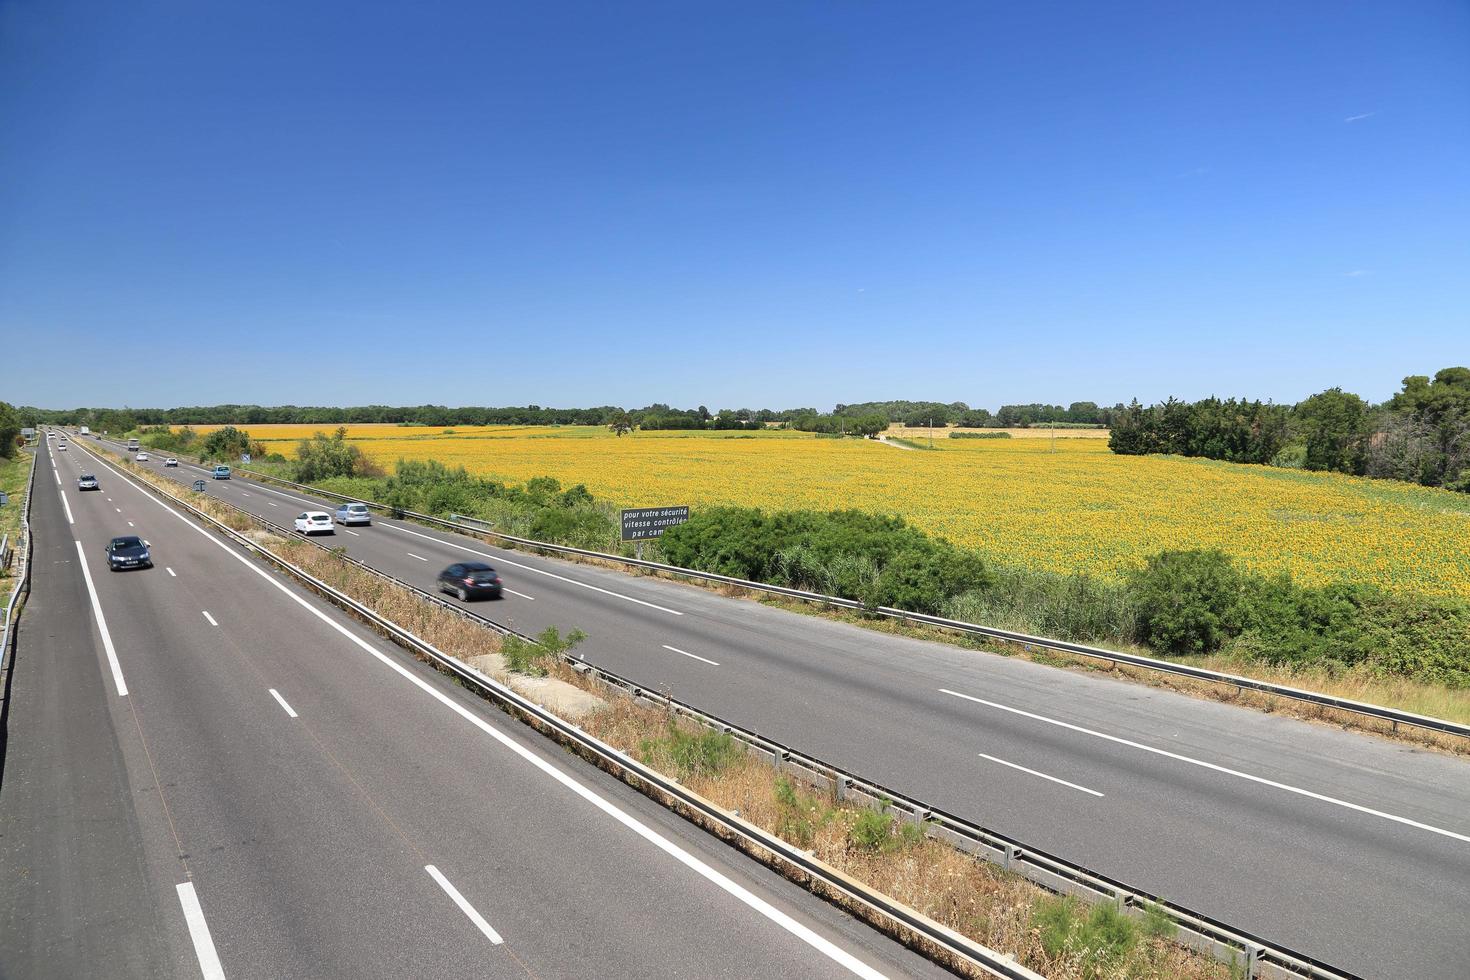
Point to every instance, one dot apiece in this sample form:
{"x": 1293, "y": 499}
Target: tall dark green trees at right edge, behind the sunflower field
{"x": 1422, "y": 434}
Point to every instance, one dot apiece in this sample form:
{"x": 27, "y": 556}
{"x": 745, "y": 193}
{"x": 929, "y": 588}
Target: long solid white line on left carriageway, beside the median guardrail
{"x": 717, "y": 878}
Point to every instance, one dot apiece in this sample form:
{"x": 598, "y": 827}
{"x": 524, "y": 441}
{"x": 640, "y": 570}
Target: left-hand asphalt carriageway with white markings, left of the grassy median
{"x": 212, "y": 774}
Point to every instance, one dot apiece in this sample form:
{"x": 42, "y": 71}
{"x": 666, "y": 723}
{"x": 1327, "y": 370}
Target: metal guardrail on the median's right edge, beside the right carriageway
{"x": 1255, "y": 956}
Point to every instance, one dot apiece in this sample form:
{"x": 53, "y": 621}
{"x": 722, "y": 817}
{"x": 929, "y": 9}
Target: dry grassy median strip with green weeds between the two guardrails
{"x": 1056, "y": 937}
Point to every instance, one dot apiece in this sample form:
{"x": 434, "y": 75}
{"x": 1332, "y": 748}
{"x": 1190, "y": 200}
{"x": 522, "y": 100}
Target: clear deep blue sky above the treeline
{"x": 737, "y": 205}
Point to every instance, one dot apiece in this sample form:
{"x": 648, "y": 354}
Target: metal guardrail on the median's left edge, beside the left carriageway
{"x": 892, "y": 913}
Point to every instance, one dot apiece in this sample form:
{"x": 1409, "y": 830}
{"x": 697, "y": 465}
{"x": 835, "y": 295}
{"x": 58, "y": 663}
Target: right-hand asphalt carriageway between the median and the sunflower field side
{"x": 1340, "y": 846}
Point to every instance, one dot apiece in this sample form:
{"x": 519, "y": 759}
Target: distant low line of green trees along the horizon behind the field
{"x": 655, "y": 417}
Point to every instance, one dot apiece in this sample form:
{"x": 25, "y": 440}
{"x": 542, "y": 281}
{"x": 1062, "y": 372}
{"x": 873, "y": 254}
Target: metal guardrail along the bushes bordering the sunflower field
{"x": 1383, "y": 713}
